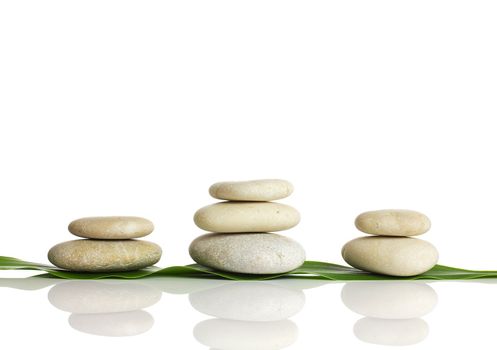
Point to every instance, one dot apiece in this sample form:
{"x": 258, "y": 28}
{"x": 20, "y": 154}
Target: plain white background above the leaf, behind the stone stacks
{"x": 137, "y": 107}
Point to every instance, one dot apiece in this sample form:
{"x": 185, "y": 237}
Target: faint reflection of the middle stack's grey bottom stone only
{"x": 249, "y": 301}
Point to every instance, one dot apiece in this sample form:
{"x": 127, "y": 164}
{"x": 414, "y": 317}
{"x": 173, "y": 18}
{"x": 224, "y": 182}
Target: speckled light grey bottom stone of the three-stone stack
{"x": 253, "y": 253}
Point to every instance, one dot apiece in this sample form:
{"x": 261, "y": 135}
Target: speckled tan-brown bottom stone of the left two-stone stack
{"x": 89, "y": 255}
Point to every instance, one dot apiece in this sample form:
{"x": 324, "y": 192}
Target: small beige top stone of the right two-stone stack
{"x": 393, "y": 222}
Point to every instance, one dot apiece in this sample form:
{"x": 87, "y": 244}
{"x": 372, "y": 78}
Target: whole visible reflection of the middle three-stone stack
{"x": 252, "y": 315}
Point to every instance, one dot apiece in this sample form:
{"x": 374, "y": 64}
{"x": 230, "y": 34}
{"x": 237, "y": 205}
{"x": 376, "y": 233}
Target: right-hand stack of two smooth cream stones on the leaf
{"x": 391, "y": 251}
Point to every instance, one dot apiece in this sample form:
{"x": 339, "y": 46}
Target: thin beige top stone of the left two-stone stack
{"x": 111, "y": 227}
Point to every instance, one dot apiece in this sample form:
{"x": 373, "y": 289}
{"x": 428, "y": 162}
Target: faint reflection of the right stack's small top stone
{"x": 391, "y": 332}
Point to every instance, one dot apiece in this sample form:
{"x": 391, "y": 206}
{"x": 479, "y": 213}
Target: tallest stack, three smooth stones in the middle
{"x": 241, "y": 241}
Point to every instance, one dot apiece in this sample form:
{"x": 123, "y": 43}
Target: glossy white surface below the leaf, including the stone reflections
{"x": 218, "y": 314}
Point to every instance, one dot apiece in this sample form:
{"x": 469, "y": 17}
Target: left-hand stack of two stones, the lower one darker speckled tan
{"x": 109, "y": 245}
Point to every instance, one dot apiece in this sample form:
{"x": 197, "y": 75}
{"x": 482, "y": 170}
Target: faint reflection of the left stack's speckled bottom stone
{"x": 102, "y": 296}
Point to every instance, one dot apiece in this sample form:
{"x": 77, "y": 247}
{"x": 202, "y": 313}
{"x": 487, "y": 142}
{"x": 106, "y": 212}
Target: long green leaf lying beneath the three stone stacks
{"x": 310, "y": 269}
